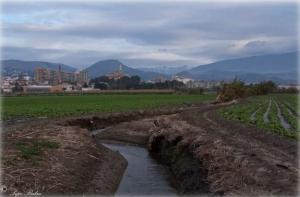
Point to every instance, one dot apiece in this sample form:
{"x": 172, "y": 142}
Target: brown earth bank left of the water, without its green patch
{"x": 78, "y": 166}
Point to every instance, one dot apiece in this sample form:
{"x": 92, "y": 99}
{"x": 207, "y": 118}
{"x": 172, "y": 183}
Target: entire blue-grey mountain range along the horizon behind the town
{"x": 281, "y": 68}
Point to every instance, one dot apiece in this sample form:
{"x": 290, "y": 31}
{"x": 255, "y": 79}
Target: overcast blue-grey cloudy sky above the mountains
{"x": 146, "y": 34}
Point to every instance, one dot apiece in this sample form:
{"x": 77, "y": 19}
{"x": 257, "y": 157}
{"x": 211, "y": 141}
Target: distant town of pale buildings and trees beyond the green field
{"x": 47, "y": 80}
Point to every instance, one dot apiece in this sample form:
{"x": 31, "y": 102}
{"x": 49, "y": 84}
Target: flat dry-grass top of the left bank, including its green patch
{"x": 46, "y": 161}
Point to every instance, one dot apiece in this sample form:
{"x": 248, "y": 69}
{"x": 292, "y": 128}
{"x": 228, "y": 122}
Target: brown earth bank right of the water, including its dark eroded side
{"x": 211, "y": 155}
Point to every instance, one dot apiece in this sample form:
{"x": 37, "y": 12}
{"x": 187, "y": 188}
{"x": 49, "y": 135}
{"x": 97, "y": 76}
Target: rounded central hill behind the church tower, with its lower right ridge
{"x": 108, "y": 66}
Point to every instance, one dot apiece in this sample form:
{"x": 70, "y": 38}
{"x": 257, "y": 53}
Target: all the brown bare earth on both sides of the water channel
{"x": 206, "y": 154}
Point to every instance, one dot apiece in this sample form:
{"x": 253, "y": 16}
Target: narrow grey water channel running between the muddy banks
{"x": 143, "y": 176}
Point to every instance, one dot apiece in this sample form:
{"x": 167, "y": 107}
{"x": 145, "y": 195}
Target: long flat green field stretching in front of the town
{"x": 59, "y": 106}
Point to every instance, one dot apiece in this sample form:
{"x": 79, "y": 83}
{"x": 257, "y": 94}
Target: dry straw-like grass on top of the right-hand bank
{"x": 236, "y": 165}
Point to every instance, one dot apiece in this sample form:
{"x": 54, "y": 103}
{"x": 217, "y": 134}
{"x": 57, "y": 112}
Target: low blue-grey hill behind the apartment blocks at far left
{"x": 10, "y": 67}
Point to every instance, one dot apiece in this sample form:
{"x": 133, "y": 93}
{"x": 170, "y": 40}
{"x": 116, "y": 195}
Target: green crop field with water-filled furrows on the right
{"x": 277, "y": 113}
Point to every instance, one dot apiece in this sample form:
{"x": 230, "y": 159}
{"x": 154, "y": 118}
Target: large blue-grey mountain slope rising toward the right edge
{"x": 282, "y": 68}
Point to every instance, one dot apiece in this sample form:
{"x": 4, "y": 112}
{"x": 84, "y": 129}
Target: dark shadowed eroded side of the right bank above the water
{"x": 191, "y": 177}
